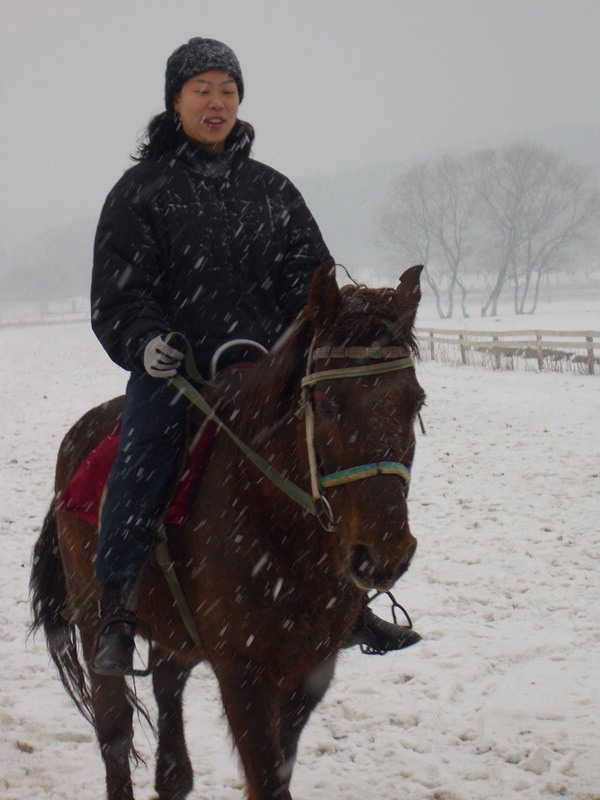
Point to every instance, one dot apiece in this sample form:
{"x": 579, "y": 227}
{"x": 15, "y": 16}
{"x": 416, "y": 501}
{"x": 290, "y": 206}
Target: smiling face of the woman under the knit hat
{"x": 207, "y": 104}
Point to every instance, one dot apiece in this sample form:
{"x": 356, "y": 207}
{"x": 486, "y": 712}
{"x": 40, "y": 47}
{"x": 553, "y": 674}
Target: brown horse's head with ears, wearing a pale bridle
{"x": 363, "y": 397}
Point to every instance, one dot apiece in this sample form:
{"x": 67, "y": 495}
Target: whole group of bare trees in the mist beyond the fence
{"x": 499, "y": 220}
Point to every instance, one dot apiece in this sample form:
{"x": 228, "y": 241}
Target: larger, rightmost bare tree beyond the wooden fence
{"x": 535, "y": 208}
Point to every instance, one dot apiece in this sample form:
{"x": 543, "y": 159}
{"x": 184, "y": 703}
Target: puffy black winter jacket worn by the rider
{"x": 214, "y": 246}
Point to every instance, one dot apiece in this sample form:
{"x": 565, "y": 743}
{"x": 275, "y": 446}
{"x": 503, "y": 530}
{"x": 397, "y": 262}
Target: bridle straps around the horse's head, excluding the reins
{"x": 318, "y": 483}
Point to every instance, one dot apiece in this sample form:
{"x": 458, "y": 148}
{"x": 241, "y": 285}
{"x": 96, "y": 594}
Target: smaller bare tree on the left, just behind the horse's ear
{"x": 430, "y": 217}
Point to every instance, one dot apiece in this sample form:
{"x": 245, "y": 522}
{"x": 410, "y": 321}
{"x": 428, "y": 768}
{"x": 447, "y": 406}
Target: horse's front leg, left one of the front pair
{"x": 253, "y": 711}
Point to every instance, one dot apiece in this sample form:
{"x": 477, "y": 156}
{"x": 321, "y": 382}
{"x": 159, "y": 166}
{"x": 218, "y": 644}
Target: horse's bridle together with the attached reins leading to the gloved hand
{"x": 315, "y": 503}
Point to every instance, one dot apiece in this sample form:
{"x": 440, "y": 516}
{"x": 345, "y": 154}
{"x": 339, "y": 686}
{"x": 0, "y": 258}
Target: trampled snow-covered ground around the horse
{"x": 500, "y": 700}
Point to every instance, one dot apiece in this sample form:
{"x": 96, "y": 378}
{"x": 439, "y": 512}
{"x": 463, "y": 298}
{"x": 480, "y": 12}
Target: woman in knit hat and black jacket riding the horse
{"x": 200, "y": 239}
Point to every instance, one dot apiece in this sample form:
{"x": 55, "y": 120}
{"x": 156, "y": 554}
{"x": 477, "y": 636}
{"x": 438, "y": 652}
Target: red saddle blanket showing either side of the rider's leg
{"x": 83, "y": 494}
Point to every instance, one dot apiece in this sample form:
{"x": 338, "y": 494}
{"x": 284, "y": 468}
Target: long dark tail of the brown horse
{"x": 48, "y": 598}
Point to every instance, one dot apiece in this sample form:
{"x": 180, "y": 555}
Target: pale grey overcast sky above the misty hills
{"x": 330, "y": 84}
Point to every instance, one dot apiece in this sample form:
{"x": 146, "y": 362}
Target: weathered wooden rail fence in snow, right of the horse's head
{"x": 572, "y": 351}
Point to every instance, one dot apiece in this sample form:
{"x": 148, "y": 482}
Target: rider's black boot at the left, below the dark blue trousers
{"x": 113, "y": 654}
